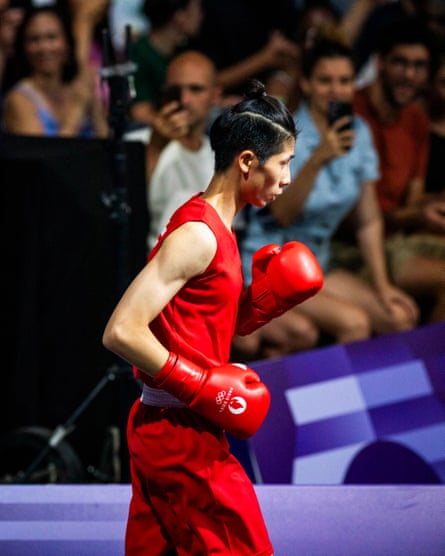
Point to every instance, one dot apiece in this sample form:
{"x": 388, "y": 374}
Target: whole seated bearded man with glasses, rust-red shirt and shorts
{"x": 415, "y": 225}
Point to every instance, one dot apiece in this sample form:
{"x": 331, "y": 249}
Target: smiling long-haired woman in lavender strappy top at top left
{"x": 50, "y": 97}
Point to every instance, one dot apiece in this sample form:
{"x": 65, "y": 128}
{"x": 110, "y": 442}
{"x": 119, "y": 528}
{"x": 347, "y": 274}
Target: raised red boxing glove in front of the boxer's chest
{"x": 281, "y": 278}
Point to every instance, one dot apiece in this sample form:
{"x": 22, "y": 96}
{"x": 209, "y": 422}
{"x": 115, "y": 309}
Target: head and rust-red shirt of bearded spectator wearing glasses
{"x": 399, "y": 125}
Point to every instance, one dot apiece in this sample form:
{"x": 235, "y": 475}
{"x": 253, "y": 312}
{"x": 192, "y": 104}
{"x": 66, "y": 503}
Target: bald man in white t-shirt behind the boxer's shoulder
{"x": 185, "y": 165}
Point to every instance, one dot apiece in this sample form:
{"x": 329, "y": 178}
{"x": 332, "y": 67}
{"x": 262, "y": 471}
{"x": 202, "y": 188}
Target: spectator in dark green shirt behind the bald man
{"x": 172, "y": 22}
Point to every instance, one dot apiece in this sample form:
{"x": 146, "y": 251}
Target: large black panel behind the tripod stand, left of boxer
{"x": 61, "y": 263}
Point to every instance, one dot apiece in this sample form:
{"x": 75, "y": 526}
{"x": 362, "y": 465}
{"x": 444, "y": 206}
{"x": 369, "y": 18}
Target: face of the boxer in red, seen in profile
{"x": 262, "y": 183}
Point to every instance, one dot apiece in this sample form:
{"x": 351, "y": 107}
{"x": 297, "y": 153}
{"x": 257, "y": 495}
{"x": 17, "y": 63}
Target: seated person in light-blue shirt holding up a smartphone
{"x": 334, "y": 171}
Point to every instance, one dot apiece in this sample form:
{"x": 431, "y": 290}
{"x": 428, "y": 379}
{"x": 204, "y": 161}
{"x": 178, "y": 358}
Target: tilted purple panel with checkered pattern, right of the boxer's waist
{"x": 366, "y": 412}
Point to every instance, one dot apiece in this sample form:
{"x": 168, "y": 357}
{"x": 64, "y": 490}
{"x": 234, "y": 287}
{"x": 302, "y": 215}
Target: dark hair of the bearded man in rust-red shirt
{"x": 405, "y": 31}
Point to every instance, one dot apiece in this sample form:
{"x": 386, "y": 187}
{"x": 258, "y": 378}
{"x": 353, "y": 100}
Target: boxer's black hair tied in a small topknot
{"x": 260, "y": 123}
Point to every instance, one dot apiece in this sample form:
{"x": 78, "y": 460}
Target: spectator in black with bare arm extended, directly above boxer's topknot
{"x": 247, "y": 38}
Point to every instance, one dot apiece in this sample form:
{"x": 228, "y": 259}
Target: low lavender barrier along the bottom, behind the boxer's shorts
{"x": 80, "y": 520}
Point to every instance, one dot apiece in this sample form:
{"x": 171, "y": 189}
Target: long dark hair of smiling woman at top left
{"x": 19, "y": 62}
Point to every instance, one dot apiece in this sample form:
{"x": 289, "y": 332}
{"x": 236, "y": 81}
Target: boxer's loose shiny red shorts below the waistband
{"x": 189, "y": 493}
